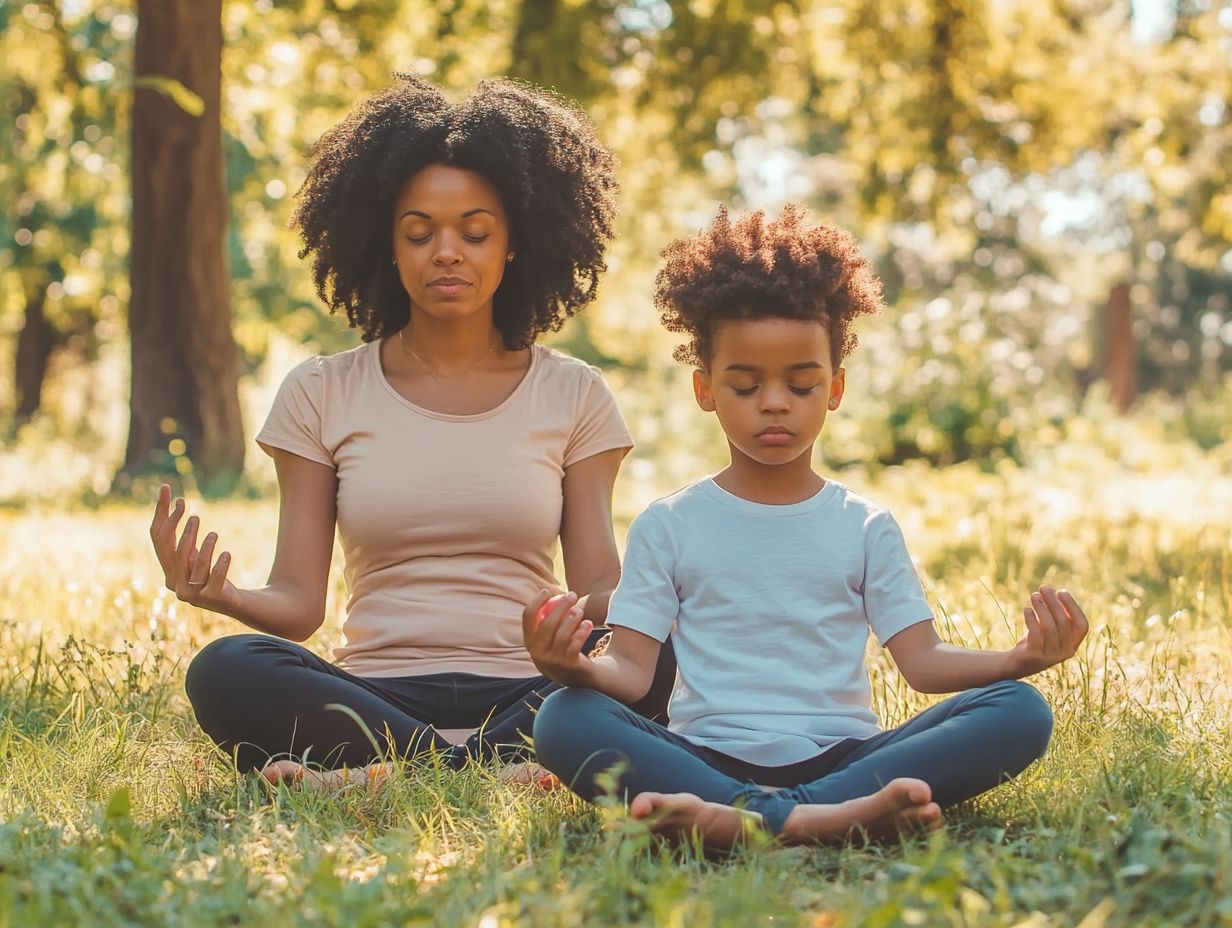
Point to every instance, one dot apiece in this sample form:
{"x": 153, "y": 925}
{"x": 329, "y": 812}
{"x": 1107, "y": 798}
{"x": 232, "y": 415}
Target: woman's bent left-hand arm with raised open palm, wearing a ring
{"x": 293, "y": 603}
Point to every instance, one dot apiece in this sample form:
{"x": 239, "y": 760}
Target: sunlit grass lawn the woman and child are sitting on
{"x": 115, "y": 812}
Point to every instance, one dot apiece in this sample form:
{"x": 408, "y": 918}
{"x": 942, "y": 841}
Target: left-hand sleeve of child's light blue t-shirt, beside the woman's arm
{"x": 646, "y": 598}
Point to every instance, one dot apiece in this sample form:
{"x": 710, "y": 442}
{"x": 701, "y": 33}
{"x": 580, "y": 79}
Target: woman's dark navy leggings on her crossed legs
{"x": 262, "y": 698}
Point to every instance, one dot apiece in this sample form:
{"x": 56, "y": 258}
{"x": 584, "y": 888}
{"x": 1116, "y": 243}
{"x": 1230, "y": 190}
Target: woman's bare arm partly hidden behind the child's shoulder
{"x": 592, "y": 564}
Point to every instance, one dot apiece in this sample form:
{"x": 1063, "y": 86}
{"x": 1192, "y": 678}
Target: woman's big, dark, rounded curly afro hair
{"x": 556, "y": 181}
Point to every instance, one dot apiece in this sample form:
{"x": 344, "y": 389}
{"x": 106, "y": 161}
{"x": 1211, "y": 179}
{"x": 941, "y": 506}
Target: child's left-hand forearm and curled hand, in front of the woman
{"x": 555, "y": 643}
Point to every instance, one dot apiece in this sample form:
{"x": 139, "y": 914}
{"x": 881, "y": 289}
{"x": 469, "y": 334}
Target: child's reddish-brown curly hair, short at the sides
{"x": 751, "y": 269}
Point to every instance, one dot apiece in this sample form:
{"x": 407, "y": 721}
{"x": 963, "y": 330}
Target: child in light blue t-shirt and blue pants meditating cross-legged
{"x": 769, "y": 579}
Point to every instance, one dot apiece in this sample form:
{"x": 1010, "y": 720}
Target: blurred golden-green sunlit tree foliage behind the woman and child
{"x": 1010, "y": 166}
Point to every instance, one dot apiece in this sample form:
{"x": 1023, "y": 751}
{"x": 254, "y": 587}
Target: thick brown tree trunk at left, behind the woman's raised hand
{"x": 185, "y": 363}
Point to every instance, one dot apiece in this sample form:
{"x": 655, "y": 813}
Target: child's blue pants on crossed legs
{"x": 962, "y": 747}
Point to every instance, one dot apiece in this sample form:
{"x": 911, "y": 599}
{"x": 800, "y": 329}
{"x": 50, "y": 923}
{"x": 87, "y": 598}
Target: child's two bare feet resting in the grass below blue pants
{"x": 901, "y": 807}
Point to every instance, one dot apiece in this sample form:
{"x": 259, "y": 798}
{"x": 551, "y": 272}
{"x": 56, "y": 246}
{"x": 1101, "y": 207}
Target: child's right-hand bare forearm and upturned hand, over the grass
{"x": 1055, "y": 629}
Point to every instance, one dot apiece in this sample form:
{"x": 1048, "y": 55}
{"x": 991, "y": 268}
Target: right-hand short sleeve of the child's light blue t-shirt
{"x": 894, "y": 598}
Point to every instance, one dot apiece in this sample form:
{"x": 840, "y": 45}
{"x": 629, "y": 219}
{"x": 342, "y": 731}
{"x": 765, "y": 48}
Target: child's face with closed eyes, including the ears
{"x": 772, "y": 383}
